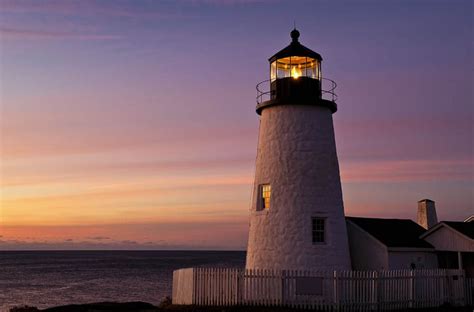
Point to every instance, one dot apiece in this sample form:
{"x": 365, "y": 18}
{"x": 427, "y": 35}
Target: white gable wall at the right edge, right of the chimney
{"x": 447, "y": 239}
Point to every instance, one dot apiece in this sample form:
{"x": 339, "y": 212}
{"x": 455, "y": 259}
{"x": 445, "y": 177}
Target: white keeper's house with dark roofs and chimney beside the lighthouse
{"x": 393, "y": 244}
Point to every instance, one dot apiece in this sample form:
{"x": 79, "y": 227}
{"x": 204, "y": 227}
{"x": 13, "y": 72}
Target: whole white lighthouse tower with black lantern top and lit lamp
{"x": 297, "y": 213}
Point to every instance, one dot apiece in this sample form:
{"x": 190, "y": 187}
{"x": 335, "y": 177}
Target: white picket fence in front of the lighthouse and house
{"x": 327, "y": 291}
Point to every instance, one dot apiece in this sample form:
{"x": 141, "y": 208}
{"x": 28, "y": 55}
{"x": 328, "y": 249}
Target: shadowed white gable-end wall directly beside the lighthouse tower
{"x": 366, "y": 252}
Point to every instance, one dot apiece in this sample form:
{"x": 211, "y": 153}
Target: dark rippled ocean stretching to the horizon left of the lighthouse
{"x": 51, "y": 278}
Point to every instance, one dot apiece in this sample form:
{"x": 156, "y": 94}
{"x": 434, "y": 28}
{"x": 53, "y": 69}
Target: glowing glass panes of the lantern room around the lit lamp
{"x": 295, "y": 67}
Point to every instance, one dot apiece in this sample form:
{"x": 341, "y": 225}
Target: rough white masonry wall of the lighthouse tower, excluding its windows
{"x": 297, "y": 156}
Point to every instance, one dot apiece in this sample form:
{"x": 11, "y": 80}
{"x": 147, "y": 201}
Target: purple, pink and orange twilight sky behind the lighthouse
{"x": 132, "y": 124}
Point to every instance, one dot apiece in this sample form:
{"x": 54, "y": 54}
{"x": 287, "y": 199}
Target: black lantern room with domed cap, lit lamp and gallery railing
{"x": 295, "y": 78}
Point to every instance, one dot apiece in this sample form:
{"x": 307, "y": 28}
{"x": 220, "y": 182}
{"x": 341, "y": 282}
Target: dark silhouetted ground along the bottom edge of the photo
{"x": 167, "y": 307}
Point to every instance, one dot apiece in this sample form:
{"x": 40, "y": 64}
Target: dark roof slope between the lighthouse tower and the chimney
{"x": 393, "y": 232}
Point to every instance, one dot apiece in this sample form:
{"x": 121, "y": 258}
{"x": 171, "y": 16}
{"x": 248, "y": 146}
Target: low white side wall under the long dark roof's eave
{"x": 398, "y": 260}
